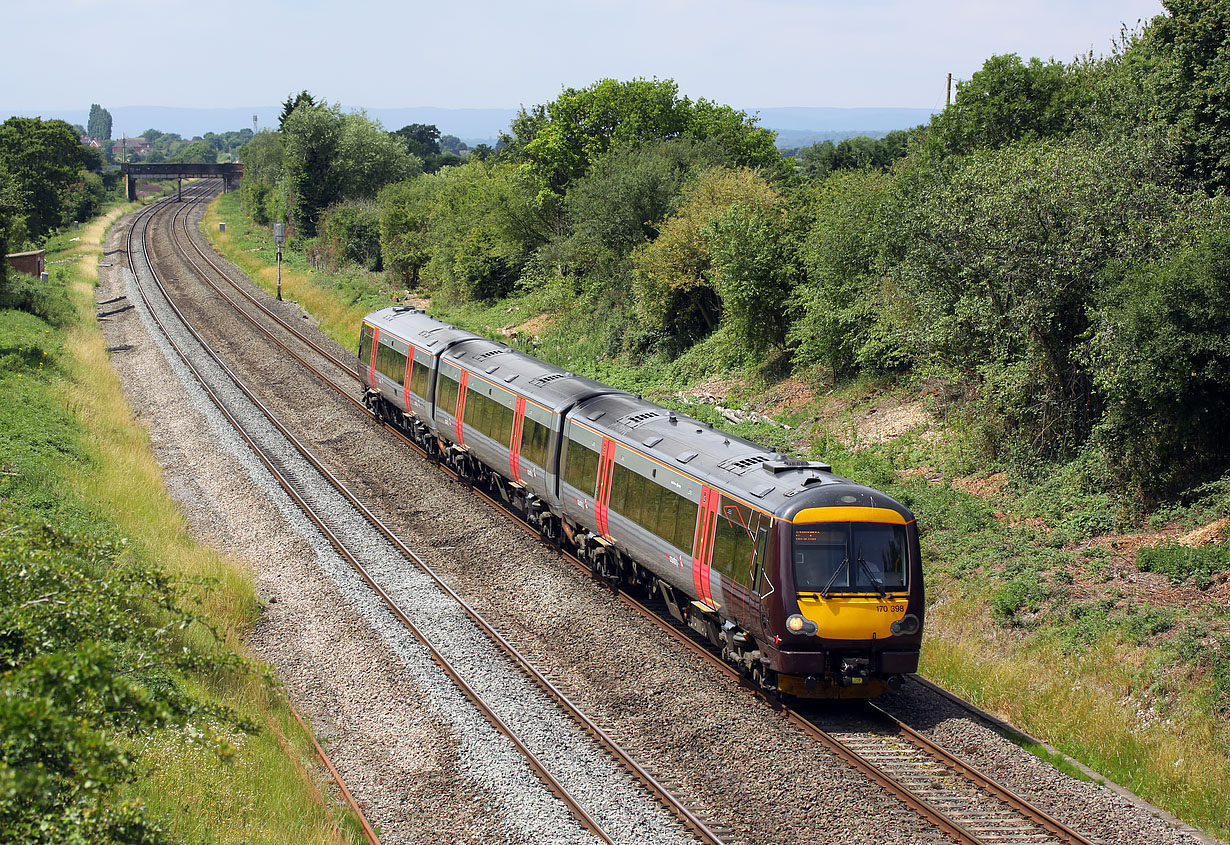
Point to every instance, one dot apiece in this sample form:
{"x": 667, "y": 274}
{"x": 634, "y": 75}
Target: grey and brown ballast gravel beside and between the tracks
{"x": 408, "y": 744}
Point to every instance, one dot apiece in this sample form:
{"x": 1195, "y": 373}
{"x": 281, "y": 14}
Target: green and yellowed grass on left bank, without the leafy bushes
{"x": 74, "y": 454}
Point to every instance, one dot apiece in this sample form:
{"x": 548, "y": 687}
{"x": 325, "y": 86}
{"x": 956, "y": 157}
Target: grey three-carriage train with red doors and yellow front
{"x": 810, "y": 584}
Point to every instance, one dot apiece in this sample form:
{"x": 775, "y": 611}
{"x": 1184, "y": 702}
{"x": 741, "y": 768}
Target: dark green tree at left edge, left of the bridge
{"x": 44, "y": 159}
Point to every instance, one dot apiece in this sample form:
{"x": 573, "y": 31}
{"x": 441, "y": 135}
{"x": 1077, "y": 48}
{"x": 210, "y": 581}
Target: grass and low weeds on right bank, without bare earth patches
{"x": 1023, "y": 619}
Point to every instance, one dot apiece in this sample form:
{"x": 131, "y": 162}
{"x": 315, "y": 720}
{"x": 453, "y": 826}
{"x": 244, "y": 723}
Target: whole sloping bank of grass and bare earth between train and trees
{"x": 1042, "y": 609}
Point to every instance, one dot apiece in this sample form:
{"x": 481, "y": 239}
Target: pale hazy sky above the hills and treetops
{"x": 488, "y": 55}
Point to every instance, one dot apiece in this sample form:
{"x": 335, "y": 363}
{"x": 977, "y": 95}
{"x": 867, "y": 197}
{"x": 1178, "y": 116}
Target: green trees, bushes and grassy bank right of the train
{"x": 1038, "y": 279}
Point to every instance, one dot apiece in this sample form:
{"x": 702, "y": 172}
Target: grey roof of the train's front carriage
{"x": 773, "y": 483}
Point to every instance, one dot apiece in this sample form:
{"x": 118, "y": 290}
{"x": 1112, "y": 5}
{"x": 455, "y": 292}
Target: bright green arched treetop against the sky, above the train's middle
{"x": 558, "y": 143}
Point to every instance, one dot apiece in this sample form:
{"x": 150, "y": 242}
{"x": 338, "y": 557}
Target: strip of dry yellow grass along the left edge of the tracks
{"x": 261, "y": 795}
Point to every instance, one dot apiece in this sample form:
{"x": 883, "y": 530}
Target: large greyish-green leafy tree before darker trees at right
{"x": 999, "y": 255}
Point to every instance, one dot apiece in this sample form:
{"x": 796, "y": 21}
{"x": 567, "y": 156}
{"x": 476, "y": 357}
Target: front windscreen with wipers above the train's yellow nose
{"x": 849, "y": 558}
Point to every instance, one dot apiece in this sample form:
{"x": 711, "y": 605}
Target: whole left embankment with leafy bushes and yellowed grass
{"x": 131, "y": 710}
